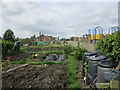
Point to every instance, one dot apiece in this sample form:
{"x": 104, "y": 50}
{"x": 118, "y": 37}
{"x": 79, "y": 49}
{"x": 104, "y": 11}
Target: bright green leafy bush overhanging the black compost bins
{"x": 111, "y": 46}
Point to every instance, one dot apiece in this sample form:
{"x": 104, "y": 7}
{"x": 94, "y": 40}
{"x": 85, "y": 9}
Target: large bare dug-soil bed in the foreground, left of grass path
{"x": 41, "y": 76}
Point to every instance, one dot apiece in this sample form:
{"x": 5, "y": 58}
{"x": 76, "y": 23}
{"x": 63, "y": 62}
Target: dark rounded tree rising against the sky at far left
{"x": 9, "y": 35}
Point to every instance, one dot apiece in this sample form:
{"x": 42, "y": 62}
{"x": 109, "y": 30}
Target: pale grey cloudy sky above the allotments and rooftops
{"x": 63, "y": 19}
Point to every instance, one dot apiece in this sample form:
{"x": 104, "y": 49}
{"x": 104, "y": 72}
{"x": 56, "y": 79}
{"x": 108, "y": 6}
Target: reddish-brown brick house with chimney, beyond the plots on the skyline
{"x": 44, "y": 38}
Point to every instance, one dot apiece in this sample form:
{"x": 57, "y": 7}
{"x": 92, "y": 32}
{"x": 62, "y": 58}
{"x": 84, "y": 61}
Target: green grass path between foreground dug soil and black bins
{"x": 72, "y": 73}
